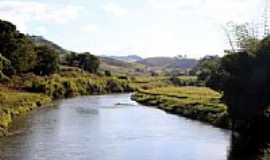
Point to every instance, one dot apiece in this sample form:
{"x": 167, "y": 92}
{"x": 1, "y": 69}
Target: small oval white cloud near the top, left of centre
{"x": 115, "y": 9}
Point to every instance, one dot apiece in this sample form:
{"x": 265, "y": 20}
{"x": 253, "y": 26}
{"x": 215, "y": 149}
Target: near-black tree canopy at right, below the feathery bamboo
{"x": 244, "y": 80}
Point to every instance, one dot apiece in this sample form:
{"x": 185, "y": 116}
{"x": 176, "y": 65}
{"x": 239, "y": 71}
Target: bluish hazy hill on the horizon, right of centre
{"x": 169, "y": 62}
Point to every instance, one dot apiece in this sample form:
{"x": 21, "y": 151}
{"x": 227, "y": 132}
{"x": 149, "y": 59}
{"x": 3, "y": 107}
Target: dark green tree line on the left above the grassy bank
{"x": 19, "y": 55}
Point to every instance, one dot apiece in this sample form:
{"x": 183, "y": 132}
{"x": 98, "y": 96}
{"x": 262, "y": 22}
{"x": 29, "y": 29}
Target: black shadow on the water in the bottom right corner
{"x": 246, "y": 147}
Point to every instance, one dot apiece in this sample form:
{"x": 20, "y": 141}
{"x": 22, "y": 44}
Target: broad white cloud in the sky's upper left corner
{"x": 22, "y": 13}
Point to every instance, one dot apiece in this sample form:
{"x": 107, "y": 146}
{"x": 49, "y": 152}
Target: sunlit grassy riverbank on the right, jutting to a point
{"x": 198, "y": 103}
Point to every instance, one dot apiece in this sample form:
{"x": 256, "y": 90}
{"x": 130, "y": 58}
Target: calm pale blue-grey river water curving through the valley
{"x": 111, "y": 127}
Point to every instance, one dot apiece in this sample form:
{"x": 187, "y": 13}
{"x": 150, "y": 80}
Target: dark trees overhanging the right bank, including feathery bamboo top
{"x": 243, "y": 77}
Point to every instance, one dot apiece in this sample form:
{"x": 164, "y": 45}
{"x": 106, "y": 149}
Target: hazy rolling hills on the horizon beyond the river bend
{"x": 136, "y": 65}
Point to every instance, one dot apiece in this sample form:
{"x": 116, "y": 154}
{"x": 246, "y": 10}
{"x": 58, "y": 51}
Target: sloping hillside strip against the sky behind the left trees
{"x": 41, "y": 41}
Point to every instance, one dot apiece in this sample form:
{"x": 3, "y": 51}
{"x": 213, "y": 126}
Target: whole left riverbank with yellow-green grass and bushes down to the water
{"x": 25, "y": 93}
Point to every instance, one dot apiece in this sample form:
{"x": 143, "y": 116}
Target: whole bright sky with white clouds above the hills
{"x": 122, "y": 27}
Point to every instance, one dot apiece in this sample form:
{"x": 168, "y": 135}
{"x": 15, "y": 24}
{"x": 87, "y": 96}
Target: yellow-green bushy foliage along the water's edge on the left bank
{"x": 69, "y": 84}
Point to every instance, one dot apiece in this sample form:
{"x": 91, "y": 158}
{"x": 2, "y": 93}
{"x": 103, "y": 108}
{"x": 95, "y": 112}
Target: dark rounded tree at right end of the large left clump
{"x": 47, "y": 61}
